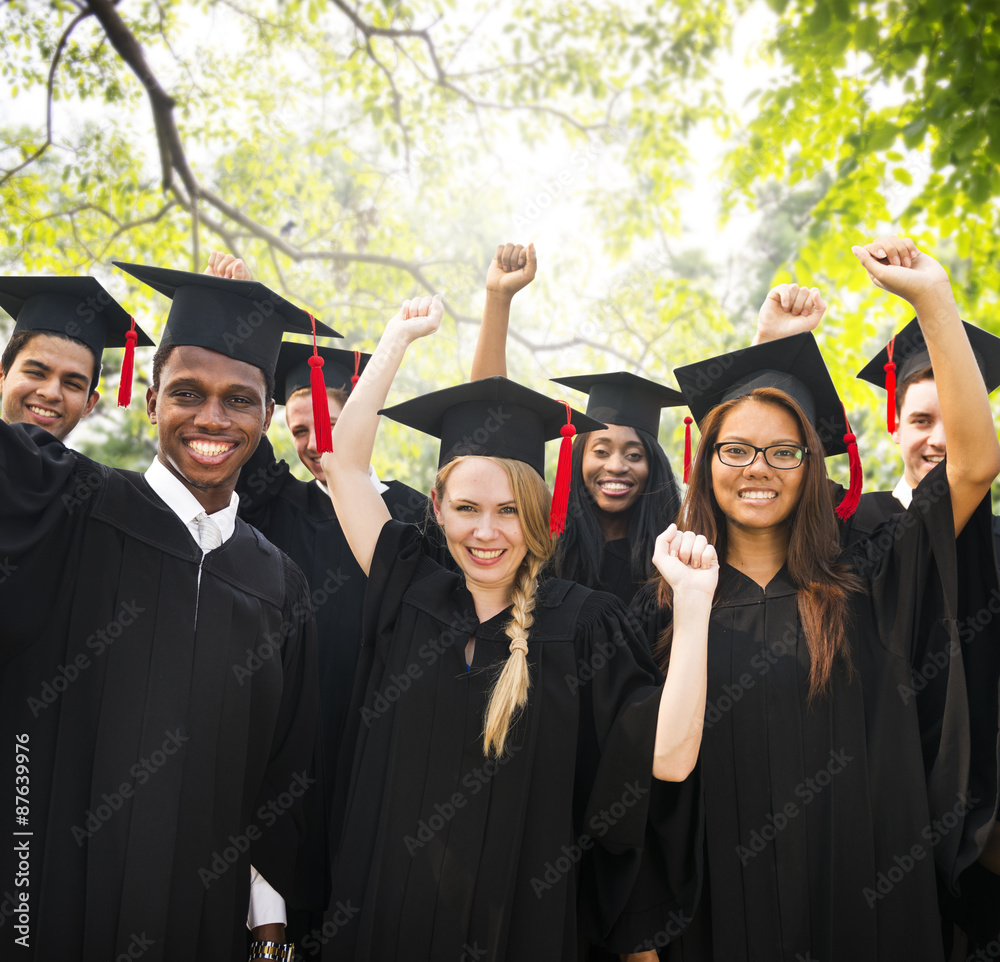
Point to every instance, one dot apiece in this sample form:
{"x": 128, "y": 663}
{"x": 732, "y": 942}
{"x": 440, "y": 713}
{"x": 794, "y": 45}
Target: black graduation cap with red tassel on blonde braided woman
{"x": 495, "y": 417}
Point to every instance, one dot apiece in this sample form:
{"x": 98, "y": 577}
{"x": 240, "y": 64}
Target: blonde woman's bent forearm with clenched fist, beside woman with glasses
{"x": 690, "y": 565}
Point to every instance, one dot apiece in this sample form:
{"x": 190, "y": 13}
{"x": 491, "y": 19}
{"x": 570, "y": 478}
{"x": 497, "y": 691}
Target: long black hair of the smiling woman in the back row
{"x": 578, "y": 555}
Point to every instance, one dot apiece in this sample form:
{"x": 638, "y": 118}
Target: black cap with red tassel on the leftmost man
{"x": 77, "y": 307}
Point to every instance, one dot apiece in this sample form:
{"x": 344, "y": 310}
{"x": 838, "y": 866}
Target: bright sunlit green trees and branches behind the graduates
{"x": 358, "y": 153}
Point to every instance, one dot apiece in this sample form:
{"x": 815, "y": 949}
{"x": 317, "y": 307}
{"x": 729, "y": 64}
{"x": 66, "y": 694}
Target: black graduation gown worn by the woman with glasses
{"x": 825, "y": 822}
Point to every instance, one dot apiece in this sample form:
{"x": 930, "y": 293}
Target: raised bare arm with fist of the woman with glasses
{"x": 973, "y": 460}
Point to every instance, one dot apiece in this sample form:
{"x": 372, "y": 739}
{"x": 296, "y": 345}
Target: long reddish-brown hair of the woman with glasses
{"x": 824, "y": 586}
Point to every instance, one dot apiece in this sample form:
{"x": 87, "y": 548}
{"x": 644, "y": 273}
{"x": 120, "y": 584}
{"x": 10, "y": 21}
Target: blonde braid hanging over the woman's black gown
{"x": 510, "y": 691}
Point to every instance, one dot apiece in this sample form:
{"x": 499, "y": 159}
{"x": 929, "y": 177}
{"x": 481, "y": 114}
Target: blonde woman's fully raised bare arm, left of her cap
{"x": 360, "y": 508}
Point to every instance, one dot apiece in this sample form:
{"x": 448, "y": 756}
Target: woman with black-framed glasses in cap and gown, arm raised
{"x": 835, "y": 759}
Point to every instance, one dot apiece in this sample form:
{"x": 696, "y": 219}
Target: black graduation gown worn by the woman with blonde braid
{"x": 445, "y": 854}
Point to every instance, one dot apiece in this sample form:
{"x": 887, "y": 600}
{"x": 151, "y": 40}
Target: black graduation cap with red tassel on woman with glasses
{"x": 793, "y": 365}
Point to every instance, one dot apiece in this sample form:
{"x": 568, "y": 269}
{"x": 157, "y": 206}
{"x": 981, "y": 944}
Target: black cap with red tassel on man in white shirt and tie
{"x": 241, "y": 319}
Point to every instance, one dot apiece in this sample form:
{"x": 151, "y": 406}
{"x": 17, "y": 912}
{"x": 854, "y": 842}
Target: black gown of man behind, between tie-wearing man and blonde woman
{"x": 299, "y": 518}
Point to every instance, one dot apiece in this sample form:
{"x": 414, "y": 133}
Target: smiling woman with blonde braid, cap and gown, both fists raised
{"x": 494, "y": 789}
